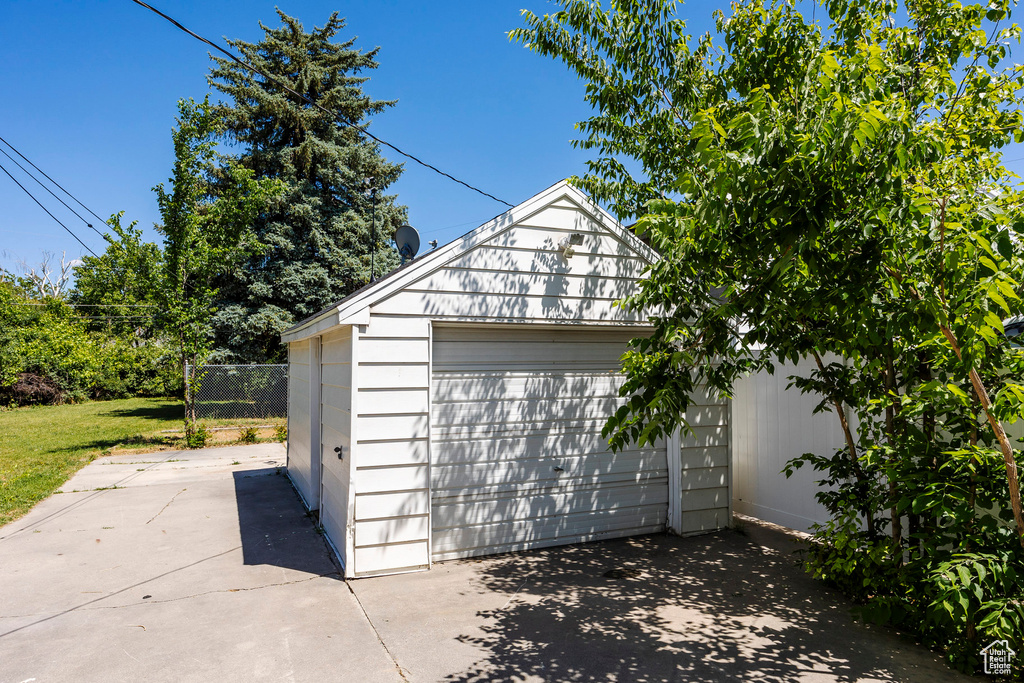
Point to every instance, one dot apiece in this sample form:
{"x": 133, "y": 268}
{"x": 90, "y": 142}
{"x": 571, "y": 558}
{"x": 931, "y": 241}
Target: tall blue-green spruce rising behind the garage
{"x": 318, "y": 240}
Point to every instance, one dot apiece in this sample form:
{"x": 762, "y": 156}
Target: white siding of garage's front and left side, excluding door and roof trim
{"x": 383, "y": 369}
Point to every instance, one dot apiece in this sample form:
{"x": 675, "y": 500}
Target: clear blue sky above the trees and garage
{"x": 90, "y": 93}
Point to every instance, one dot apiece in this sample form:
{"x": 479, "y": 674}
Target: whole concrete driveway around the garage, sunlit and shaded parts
{"x": 202, "y": 567}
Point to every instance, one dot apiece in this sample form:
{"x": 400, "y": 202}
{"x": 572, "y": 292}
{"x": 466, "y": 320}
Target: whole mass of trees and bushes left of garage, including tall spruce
{"x": 266, "y": 221}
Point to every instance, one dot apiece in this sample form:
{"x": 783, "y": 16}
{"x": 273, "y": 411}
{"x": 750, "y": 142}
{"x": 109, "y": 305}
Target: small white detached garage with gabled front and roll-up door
{"x": 455, "y": 408}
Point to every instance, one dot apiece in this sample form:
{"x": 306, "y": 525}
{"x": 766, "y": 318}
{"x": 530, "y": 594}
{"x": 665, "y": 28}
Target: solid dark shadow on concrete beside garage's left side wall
{"x": 275, "y": 528}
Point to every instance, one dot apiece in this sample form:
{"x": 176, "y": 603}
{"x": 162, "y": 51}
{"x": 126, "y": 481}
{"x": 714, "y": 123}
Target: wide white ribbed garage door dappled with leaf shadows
{"x": 518, "y": 458}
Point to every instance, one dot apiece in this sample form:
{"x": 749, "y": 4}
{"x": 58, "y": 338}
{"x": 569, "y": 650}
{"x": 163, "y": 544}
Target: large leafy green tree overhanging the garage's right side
{"x": 834, "y": 192}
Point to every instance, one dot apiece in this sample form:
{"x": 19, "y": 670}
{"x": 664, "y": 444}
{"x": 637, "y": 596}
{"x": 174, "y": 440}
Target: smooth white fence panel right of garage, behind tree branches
{"x": 771, "y": 426}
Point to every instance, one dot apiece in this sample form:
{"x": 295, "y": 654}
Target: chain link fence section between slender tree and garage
{"x": 231, "y": 393}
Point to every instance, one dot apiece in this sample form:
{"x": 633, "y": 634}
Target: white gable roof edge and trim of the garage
{"x": 355, "y": 310}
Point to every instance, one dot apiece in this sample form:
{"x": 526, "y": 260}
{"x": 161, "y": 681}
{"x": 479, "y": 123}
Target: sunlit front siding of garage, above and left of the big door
{"x": 518, "y": 276}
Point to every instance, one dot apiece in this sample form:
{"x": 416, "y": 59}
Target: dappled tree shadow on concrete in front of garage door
{"x": 663, "y": 609}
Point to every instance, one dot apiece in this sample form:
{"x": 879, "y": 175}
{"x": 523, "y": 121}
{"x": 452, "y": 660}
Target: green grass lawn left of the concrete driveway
{"x": 42, "y": 447}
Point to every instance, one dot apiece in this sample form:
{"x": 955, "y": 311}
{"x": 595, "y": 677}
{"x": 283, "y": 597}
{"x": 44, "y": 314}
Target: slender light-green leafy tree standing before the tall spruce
{"x": 207, "y": 230}
